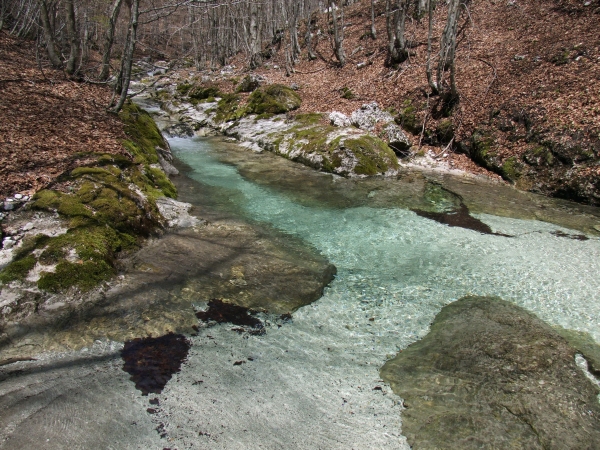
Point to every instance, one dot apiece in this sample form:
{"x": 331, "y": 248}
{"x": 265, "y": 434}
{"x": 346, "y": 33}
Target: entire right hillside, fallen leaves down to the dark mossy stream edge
{"x": 527, "y": 73}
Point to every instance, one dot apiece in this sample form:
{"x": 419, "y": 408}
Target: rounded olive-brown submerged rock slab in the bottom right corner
{"x": 492, "y": 375}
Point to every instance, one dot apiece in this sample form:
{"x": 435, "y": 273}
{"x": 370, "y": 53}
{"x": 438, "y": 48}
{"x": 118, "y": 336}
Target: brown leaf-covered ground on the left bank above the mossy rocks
{"x": 49, "y": 123}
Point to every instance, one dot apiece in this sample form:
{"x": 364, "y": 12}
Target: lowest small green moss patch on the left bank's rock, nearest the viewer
{"x": 85, "y": 276}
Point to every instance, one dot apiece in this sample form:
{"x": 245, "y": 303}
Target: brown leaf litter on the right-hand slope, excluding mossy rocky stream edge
{"x": 534, "y": 64}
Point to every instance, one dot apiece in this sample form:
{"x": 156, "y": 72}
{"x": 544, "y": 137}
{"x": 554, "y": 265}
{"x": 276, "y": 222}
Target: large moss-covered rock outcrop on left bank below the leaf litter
{"x": 108, "y": 204}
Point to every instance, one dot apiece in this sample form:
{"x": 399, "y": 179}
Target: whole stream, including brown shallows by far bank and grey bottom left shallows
{"x": 313, "y": 381}
